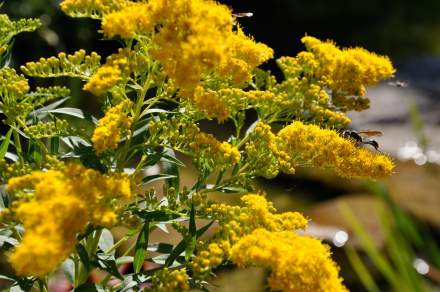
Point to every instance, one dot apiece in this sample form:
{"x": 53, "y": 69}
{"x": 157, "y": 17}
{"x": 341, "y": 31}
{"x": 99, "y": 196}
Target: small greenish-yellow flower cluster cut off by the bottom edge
{"x": 171, "y": 281}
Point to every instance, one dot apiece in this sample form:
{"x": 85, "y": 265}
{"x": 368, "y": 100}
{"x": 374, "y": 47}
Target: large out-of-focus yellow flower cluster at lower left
{"x": 63, "y": 202}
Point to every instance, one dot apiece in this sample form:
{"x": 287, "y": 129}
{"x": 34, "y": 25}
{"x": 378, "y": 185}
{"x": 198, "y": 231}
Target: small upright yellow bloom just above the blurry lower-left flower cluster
{"x": 107, "y": 134}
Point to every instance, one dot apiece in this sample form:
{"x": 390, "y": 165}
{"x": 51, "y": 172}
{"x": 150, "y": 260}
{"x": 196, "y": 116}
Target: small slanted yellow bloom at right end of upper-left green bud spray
{"x": 108, "y": 75}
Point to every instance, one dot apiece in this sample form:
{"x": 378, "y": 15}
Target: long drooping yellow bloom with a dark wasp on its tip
{"x": 311, "y": 145}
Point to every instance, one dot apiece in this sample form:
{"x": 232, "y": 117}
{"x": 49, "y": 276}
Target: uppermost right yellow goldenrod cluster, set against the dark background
{"x": 344, "y": 72}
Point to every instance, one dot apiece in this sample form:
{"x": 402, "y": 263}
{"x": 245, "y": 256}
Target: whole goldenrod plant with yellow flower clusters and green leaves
{"x": 68, "y": 178}
